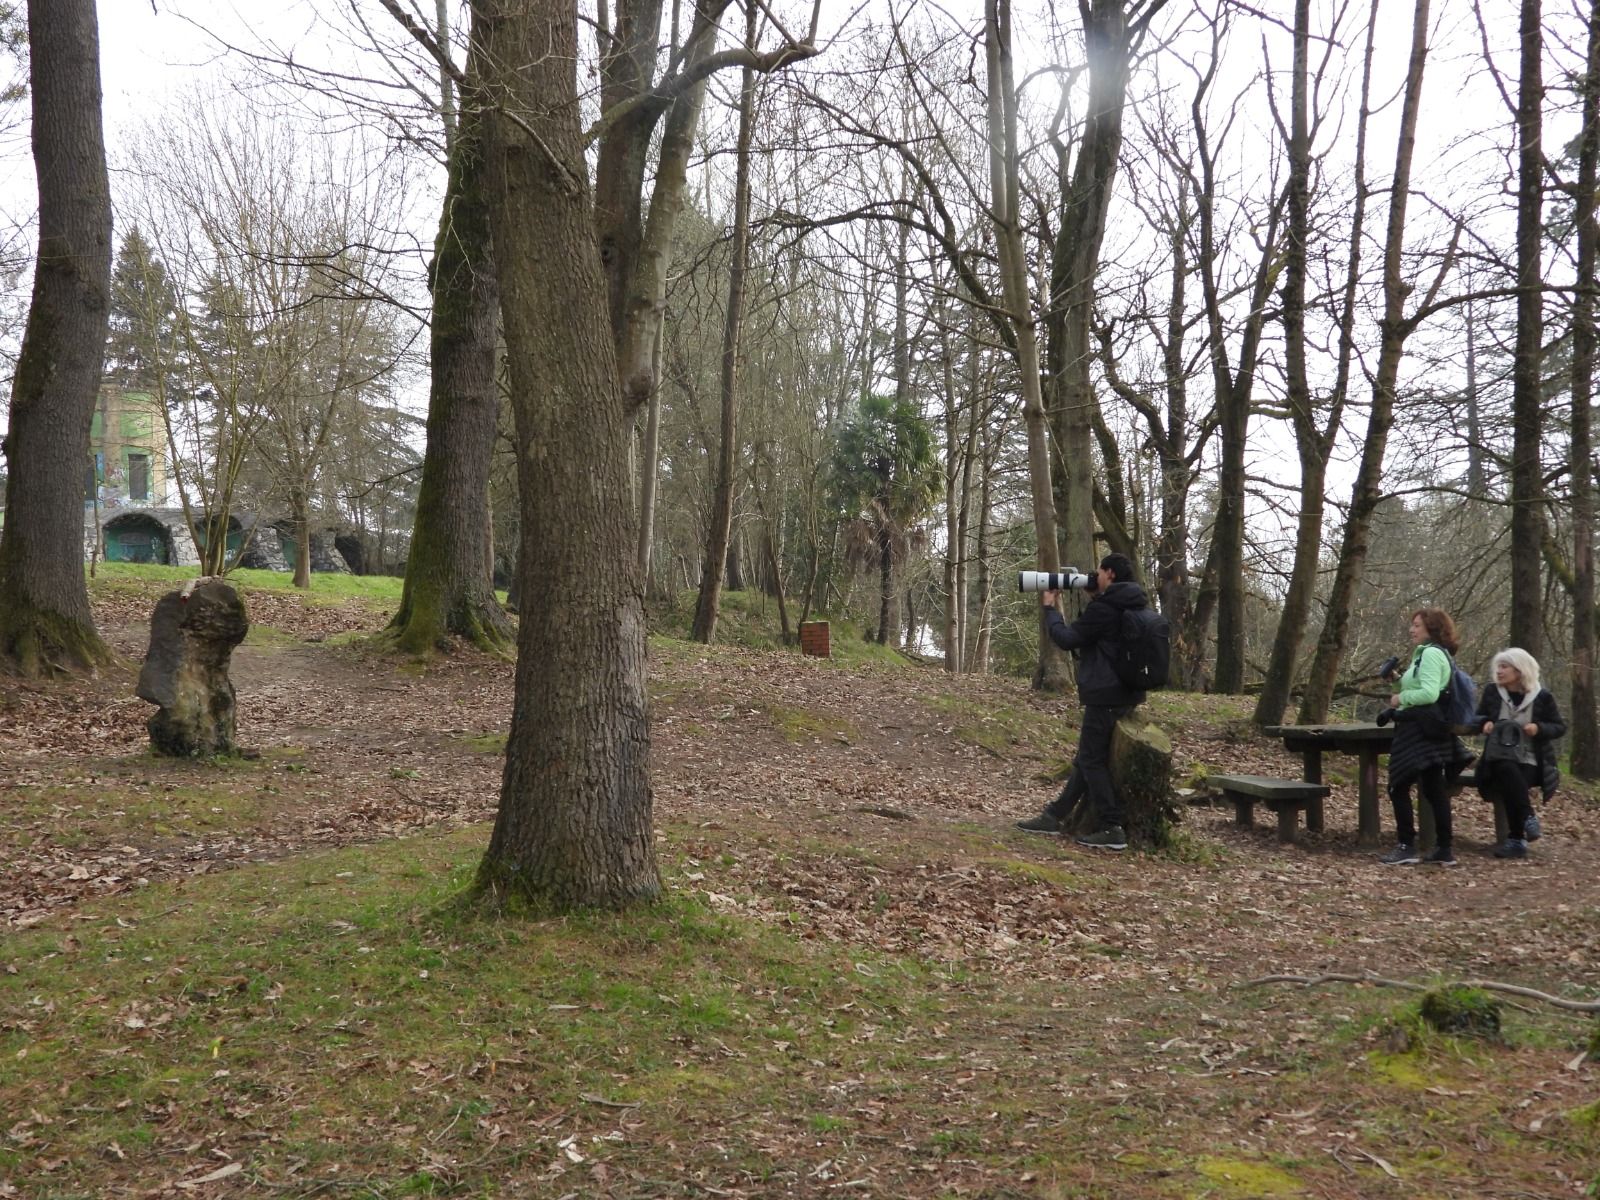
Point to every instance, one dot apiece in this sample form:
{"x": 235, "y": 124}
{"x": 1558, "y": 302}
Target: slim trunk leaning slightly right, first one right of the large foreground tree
{"x": 718, "y": 540}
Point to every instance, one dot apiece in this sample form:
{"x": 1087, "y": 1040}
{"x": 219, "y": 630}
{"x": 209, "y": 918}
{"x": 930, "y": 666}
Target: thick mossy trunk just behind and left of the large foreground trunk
{"x": 449, "y": 588}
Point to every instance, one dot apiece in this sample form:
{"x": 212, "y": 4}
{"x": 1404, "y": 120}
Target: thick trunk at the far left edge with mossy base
{"x": 46, "y": 622}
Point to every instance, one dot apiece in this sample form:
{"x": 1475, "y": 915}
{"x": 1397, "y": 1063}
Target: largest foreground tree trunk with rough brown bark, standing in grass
{"x": 575, "y": 818}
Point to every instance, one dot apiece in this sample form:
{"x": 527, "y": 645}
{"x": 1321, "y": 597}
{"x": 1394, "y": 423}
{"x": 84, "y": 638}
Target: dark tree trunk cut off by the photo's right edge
{"x": 1585, "y": 729}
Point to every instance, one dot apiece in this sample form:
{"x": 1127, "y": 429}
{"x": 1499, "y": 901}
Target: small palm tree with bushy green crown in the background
{"x": 887, "y": 476}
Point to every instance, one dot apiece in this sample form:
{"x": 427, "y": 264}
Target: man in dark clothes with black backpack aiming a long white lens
{"x": 1106, "y": 700}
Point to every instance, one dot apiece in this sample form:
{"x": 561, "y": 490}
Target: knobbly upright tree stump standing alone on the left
{"x": 193, "y": 636}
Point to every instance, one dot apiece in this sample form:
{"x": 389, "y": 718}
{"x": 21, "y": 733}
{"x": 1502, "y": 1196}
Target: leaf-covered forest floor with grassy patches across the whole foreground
{"x": 257, "y": 977}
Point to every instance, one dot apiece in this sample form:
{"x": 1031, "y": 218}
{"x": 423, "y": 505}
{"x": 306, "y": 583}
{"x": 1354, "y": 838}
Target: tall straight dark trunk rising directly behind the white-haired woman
{"x": 1527, "y": 484}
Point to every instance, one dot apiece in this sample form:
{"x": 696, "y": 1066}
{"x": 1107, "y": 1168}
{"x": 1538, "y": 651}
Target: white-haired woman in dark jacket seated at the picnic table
{"x": 1521, "y": 724}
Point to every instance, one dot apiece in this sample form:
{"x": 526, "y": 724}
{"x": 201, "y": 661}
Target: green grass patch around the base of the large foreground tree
{"x": 359, "y": 1023}
